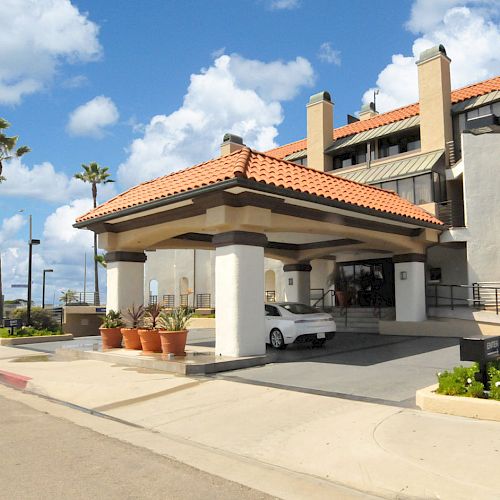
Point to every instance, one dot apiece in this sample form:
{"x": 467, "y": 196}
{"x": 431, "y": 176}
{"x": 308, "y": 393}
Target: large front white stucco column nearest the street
{"x": 239, "y": 293}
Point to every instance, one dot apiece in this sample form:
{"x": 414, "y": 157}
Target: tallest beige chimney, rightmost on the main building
{"x": 434, "y": 89}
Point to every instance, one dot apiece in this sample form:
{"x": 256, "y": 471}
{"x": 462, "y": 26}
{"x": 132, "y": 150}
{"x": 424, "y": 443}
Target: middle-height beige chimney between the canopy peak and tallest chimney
{"x": 319, "y": 131}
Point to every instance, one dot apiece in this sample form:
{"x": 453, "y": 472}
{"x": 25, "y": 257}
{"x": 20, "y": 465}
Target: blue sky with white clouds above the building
{"x": 82, "y": 81}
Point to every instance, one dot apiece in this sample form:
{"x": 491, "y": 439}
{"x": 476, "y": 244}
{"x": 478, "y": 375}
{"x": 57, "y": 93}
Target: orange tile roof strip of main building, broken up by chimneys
{"x": 395, "y": 115}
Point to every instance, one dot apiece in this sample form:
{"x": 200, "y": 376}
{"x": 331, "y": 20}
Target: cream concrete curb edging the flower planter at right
{"x": 482, "y": 409}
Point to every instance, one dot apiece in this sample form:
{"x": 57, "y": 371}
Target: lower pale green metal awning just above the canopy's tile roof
{"x": 399, "y": 169}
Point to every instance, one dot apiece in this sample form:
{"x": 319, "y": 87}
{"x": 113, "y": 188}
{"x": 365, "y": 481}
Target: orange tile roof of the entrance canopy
{"x": 265, "y": 169}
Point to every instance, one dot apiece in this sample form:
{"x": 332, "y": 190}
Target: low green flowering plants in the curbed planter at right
{"x": 461, "y": 381}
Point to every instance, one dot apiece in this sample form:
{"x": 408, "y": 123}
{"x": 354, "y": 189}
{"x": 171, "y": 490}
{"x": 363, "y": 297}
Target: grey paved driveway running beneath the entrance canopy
{"x": 365, "y": 367}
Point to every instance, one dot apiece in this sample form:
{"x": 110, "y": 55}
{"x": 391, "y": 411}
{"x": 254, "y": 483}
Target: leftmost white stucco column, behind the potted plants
{"x": 125, "y": 279}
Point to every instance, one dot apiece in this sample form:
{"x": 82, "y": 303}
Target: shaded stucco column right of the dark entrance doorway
{"x": 409, "y": 285}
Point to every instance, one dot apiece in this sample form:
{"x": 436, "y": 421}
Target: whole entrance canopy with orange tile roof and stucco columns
{"x": 247, "y": 205}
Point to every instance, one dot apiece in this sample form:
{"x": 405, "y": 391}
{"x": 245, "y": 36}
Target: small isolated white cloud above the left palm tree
{"x": 90, "y": 119}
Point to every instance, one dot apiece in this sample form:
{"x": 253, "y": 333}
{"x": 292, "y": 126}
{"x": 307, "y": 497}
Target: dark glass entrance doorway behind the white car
{"x": 368, "y": 283}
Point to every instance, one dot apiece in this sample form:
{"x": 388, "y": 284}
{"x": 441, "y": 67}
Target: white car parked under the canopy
{"x": 289, "y": 322}
